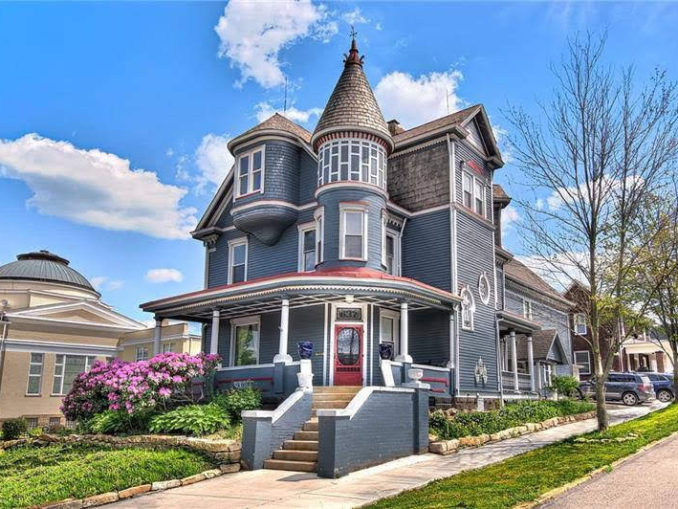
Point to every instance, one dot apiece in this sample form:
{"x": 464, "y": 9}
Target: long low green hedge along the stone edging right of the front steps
{"x": 513, "y": 414}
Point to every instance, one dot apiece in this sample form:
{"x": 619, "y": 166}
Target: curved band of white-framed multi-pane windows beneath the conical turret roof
{"x": 352, "y": 160}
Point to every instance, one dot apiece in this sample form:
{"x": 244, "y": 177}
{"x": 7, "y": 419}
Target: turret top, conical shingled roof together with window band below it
{"x": 352, "y": 139}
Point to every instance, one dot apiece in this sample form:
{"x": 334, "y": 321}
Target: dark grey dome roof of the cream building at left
{"x": 44, "y": 266}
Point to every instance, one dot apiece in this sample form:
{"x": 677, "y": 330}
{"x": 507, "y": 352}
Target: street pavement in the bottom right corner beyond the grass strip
{"x": 647, "y": 480}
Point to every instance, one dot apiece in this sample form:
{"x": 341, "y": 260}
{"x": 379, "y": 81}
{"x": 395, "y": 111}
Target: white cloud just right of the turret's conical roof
{"x": 414, "y": 101}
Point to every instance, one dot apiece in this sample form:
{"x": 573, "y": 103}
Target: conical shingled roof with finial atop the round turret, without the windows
{"x": 352, "y": 104}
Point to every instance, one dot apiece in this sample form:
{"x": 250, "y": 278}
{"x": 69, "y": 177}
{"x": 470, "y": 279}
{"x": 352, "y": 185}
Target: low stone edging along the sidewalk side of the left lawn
{"x": 115, "y": 496}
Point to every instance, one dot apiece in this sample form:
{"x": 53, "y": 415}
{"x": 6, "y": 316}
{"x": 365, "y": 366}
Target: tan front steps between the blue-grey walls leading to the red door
{"x": 301, "y": 453}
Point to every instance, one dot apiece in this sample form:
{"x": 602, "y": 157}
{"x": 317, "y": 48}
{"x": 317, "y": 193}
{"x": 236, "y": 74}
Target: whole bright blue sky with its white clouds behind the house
{"x": 114, "y": 116}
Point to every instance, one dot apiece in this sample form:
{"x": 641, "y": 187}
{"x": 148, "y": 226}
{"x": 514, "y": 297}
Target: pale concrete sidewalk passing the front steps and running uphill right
{"x": 272, "y": 488}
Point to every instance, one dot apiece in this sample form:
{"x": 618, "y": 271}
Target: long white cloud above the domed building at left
{"x": 95, "y": 188}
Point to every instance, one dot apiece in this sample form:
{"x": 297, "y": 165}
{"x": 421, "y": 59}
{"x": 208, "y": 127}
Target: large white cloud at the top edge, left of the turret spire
{"x": 252, "y": 34}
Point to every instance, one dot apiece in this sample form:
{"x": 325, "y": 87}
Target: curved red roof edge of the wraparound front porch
{"x": 348, "y": 272}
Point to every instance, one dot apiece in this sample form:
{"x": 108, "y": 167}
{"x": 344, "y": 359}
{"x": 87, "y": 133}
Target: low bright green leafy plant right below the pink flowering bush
{"x": 191, "y": 420}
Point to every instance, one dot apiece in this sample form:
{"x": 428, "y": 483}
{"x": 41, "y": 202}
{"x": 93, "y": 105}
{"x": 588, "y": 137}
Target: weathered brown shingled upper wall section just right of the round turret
{"x": 420, "y": 179}
